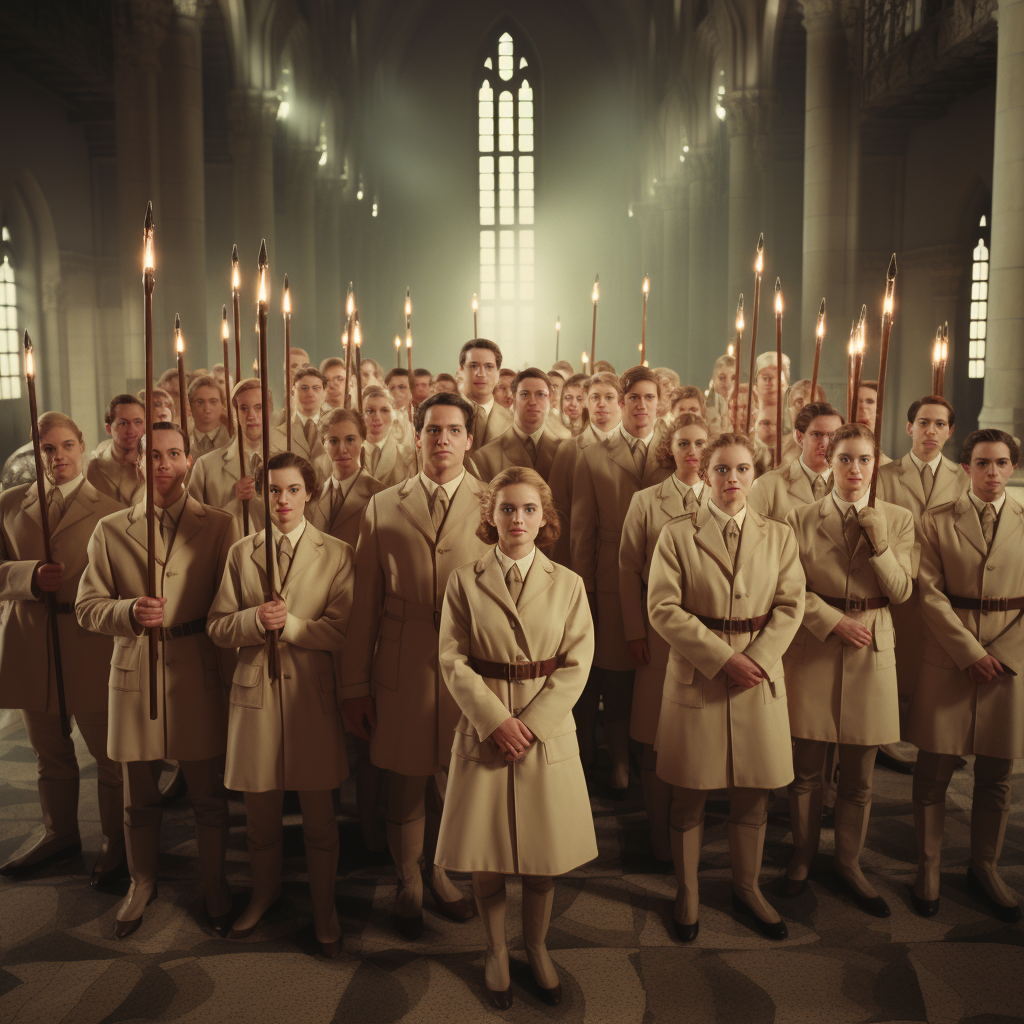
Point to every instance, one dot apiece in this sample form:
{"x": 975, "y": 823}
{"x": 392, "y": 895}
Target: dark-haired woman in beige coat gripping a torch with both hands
{"x": 287, "y": 734}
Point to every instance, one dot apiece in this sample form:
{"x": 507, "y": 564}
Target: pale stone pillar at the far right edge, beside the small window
{"x": 1004, "y": 406}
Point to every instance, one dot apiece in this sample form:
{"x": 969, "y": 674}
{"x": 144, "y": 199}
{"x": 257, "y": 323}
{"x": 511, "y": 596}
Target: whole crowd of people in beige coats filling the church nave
{"x": 481, "y": 573}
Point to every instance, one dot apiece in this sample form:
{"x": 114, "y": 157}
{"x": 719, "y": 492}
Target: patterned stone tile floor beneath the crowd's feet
{"x": 610, "y": 937}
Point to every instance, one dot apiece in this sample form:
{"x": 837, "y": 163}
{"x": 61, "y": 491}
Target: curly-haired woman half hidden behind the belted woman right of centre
{"x": 650, "y": 510}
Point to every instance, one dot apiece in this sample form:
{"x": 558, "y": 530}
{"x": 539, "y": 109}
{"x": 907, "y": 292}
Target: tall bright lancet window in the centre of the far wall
{"x": 506, "y": 177}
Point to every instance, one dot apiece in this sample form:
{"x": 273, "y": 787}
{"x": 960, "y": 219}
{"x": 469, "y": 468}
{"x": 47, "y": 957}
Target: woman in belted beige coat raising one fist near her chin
{"x": 841, "y": 667}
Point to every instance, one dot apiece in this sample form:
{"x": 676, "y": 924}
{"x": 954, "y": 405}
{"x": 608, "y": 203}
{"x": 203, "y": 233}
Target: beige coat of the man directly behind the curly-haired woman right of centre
{"x": 604, "y": 486}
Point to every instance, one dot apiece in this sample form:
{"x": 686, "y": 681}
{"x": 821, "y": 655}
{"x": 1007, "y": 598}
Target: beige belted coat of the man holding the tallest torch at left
{"x": 193, "y": 674}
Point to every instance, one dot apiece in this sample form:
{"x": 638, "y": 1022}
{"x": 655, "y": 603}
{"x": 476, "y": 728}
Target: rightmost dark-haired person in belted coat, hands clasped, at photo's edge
{"x": 971, "y": 689}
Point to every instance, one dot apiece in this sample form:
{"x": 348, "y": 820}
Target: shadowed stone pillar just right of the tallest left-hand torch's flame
{"x": 183, "y": 192}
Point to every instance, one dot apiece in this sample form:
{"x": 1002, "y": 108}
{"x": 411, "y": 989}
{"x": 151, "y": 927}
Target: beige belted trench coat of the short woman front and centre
{"x": 533, "y": 818}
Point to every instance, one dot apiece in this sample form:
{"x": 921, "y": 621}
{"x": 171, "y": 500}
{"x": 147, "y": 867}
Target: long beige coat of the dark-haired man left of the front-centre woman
{"x": 402, "y": 570}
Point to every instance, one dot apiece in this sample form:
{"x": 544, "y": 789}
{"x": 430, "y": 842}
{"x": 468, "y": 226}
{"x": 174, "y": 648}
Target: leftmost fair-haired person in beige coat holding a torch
{"x": 28, "y": 677}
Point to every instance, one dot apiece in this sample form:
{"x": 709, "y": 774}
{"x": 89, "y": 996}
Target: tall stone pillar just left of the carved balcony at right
{"x": 829, "y": 187}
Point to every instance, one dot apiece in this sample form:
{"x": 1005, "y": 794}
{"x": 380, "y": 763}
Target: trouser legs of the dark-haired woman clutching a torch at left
{"x": 265, "y": 831}
